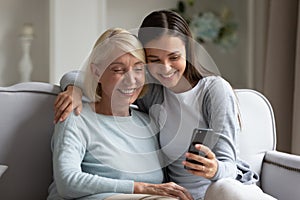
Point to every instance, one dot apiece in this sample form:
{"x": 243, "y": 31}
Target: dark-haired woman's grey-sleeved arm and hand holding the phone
{"x": 221, "y": 114}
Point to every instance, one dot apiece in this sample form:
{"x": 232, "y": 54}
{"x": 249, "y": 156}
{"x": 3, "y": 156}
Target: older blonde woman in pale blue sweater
{"x": 110, "y": 151}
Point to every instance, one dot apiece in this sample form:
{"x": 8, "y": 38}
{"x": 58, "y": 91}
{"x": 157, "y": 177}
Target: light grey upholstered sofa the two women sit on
{"x": 26, "y": 127}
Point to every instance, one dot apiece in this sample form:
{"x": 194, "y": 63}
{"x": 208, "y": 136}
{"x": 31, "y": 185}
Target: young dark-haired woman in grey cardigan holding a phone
{"x": 182, "y": 95}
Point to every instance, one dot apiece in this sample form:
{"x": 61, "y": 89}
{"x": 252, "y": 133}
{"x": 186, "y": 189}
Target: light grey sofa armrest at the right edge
{"x": 280, "y": 176}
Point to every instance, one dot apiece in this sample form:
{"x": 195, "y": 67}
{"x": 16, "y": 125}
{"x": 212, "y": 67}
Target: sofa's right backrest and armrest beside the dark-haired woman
{"x": 279, "y": 172}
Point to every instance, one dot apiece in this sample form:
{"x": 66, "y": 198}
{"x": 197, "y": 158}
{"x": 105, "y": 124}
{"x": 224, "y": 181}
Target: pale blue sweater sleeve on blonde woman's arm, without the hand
{"x": 69, "y": 147}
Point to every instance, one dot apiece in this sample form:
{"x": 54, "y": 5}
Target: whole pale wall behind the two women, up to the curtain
{"x": 66, "y": 30}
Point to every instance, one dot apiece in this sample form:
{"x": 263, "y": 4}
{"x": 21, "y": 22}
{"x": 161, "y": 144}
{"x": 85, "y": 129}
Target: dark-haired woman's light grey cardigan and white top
{"x": 210, "y": 104}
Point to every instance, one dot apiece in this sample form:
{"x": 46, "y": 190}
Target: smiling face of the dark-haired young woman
{"x": 166, "y": 58}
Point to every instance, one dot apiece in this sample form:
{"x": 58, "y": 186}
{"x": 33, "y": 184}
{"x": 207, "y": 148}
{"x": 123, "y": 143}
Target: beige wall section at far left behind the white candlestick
{"x": 13, "y": 14}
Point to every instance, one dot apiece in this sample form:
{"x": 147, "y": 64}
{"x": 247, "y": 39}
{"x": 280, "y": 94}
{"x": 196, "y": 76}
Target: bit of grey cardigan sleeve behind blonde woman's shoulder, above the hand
{"x": 72, "y": 78}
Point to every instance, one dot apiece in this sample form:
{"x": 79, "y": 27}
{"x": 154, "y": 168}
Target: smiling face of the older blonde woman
{"x": 123, "y": 80}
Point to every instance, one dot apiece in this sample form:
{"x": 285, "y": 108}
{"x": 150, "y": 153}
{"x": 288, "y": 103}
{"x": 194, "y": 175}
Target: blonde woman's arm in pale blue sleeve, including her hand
{"x": 69, "y": 148}
